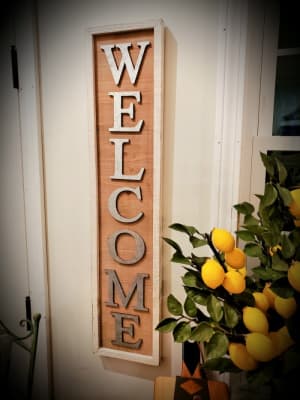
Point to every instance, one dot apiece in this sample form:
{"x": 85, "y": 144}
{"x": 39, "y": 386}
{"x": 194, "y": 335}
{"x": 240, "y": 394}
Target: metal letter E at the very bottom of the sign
{"x": 121, "y": 330}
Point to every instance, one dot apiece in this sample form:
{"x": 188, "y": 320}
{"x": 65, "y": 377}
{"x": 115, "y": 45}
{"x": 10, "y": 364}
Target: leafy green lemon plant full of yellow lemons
{"x": 245, "y": 320}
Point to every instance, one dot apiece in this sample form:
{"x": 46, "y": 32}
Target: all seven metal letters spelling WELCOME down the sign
{"x": 125, "y": 323}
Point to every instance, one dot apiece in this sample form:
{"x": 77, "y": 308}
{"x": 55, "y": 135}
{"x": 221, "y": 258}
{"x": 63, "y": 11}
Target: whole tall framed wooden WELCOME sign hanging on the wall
{"x": 128, "y": 94}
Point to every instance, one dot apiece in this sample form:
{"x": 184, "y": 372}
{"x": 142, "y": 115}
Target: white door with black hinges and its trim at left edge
{"x": 22, "y": 246}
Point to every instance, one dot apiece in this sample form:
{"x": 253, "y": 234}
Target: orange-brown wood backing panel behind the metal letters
{"x": 133, "y": 333}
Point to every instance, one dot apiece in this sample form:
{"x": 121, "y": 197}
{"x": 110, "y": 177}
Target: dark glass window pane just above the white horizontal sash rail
{"x": 286, "y": 120}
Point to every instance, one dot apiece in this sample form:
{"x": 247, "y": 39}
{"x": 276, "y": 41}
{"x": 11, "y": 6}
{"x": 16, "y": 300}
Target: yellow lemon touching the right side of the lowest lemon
{"x": 260, "y": 346}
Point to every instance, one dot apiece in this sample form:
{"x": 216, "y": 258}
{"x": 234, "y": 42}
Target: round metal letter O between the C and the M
{"x": 140, "y": 247}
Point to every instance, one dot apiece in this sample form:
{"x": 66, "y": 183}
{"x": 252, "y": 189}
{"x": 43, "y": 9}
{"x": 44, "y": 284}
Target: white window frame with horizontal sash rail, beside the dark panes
{"x": 259, "y": 100}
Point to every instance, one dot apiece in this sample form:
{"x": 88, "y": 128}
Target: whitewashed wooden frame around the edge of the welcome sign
{"x": 158, "y": 28}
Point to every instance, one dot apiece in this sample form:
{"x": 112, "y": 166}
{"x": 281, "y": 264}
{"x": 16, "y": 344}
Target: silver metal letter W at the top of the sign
{"x": 125, "y": 60}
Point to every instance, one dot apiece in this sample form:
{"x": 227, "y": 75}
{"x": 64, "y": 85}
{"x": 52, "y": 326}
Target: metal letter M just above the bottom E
{"x": 114, "y": 286}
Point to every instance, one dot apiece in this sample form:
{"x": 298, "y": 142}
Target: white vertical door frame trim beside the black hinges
{"x": 32, "y": 165}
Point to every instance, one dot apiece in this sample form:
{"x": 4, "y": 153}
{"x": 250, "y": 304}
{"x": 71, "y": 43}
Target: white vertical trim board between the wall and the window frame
{"x": 232, "y": 37}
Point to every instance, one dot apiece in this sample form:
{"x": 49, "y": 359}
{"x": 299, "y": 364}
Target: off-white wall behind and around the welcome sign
{"x": 191, "y": 68}
